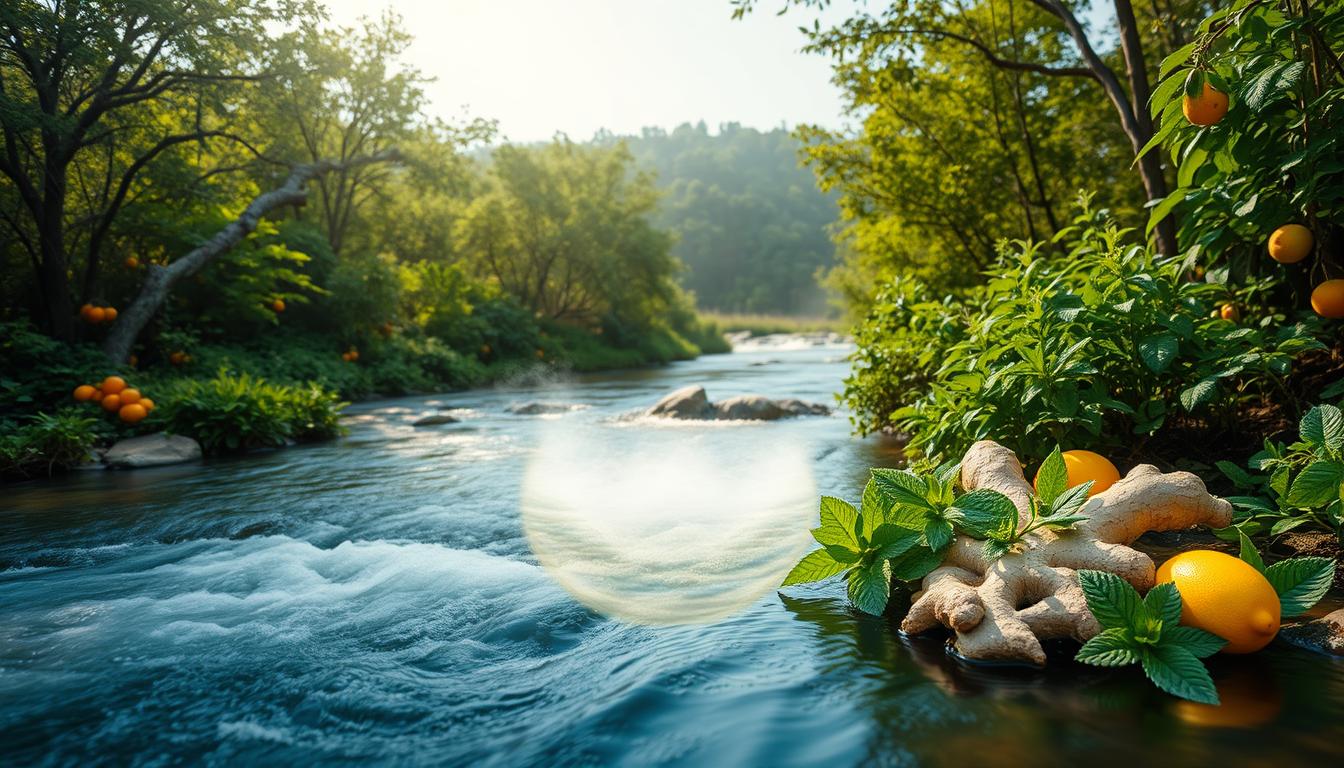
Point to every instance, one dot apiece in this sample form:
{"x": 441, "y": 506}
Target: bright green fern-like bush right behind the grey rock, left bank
{"x": 237, "y": 412}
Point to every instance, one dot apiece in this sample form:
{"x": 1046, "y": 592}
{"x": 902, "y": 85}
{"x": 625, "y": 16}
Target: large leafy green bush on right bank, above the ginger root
{"x": 1097, "y": 346}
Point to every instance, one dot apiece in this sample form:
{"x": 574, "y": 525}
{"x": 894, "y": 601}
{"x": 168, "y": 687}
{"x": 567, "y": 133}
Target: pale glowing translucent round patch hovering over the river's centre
{"x": 663, "y": 528}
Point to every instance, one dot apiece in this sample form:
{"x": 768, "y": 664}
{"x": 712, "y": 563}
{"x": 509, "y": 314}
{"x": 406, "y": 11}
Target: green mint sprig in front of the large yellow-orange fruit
{"x": 1147, "y": 631}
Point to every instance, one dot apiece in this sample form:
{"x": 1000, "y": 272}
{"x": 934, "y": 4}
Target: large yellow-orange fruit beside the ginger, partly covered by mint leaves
{"x": 1226, "y": 597}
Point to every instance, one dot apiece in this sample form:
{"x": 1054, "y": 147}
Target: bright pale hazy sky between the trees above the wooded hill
{"x": 540, "y": 67}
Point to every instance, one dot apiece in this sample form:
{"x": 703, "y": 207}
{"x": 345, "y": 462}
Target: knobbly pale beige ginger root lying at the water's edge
{"x": 1003, "y": 610}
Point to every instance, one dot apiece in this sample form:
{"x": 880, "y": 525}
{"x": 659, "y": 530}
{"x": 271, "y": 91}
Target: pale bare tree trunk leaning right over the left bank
{"x": 161, "y": 280}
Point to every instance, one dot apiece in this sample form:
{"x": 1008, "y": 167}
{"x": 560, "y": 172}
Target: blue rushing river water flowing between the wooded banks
{"x": 573, "y": 588}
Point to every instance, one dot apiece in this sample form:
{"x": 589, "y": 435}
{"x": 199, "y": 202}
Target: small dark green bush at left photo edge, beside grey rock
{"x": 46, "y": 443}
